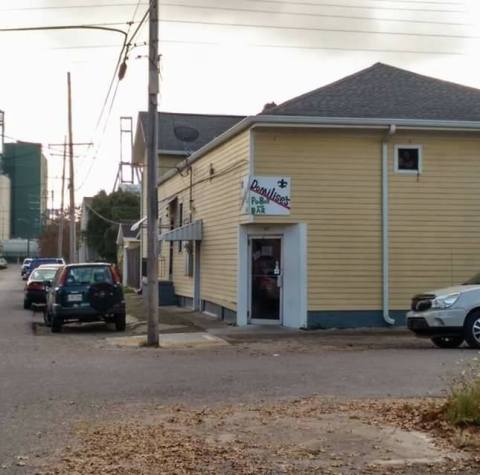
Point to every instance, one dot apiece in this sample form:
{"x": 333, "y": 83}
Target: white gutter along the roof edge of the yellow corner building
{"x": 322, "y": 122}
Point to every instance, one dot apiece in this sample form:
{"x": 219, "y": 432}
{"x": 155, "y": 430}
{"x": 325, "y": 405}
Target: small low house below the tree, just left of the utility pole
{"x": 128, "y": 255}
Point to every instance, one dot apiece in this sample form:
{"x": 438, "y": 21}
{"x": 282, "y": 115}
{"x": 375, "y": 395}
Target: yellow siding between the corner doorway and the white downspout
{"x": 336, "y": 189}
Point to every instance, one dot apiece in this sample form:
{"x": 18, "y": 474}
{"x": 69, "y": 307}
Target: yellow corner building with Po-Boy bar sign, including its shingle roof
{"x": 331, "y": 209}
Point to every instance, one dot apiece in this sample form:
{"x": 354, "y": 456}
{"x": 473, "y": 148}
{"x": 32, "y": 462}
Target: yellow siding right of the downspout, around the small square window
{"x": 435, "y": 218}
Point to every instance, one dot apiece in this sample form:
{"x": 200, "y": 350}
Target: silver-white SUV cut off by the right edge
{"x": 448, "y": 316}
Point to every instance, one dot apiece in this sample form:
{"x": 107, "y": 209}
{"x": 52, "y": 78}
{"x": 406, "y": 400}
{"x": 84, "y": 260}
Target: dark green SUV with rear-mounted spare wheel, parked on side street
{"x": 85, "y": 293}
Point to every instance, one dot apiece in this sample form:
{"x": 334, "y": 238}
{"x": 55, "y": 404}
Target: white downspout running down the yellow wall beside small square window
{"x": 385, "y": 225}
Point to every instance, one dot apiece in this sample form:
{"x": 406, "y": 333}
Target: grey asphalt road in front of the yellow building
{"x": 47, "y": 381}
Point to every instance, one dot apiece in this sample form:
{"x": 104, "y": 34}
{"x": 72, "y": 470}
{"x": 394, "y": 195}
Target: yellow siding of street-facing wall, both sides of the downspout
{"x": 336, "y": 190}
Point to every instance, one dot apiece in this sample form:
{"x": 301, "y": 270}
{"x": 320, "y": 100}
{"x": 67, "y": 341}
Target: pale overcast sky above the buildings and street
{"x": 227, "y": 57}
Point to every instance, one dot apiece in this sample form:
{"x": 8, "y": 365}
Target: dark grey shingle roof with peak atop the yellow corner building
{"x": 383, "y": 91}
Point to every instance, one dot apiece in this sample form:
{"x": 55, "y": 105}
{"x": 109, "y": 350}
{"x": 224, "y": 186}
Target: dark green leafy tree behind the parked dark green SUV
{"x": 117, "y": 207}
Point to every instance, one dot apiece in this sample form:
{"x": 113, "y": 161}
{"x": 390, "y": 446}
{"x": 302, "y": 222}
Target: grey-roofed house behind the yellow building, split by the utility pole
{"x": 179, "y": 135}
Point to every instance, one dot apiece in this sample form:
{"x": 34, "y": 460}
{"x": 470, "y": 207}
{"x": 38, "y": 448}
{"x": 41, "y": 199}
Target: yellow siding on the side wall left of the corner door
{"x": 216, "y": 201}
